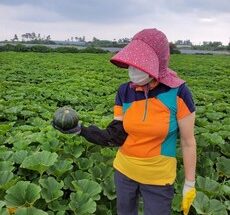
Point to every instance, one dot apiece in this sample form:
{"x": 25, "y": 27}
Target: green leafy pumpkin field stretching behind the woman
{"x": 45, "y": 172}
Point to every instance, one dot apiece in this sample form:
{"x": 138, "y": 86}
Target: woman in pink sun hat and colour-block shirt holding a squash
{"x": 149, "y": 112}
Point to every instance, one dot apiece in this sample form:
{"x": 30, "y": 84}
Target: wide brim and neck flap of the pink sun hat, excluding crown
{"x": 140, "y": 55}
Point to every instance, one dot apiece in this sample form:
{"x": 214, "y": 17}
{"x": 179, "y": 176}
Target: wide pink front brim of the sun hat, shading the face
{"x": 140, "y": 55}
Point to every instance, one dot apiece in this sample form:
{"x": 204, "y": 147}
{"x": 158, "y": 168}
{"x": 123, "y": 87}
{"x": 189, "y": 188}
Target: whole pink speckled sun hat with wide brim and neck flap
{"x": 149, "y": 52}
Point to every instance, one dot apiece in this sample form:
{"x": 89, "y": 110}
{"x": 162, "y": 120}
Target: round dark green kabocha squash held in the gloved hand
{"x": 65, "y": 118}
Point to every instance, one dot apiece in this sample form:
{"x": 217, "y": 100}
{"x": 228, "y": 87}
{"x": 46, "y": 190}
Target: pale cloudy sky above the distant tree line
{"x": 197, "y": 20}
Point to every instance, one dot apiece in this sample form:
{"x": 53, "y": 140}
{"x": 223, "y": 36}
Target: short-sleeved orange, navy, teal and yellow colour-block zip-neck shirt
{"x": 148, "y": 154}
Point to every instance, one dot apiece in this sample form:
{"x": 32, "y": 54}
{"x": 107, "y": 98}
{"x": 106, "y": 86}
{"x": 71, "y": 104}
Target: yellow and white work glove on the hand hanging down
{"x": 189, "y": 194}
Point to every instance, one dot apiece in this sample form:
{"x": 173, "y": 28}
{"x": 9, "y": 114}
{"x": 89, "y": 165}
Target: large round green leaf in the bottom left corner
{"x": 23, "y": 194}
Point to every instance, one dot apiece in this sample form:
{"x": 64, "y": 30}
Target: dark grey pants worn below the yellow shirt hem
{"x": 157, "y": 199}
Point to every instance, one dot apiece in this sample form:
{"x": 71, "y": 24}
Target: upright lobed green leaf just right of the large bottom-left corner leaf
{"x": 51, "y": 189}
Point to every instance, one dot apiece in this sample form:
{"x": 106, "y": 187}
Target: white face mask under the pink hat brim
{"x": 138, "y": 77}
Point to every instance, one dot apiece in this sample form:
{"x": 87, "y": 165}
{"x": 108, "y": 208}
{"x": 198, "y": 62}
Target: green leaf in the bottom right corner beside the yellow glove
{"x": 204, "y": 205}
